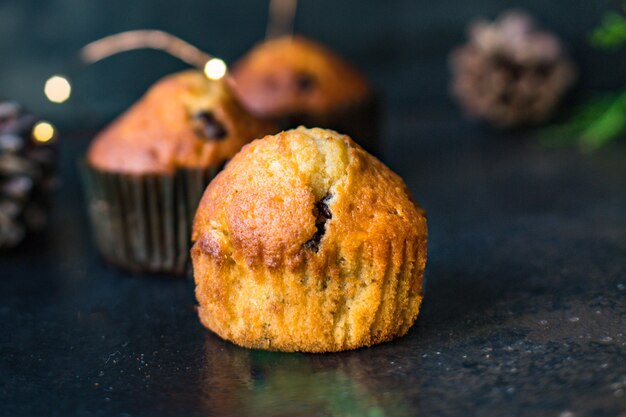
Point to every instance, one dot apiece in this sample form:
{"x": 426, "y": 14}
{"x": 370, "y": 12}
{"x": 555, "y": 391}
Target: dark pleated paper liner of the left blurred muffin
{"x": 143, "y": 222}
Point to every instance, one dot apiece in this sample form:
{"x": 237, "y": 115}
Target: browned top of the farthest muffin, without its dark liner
{"x": 293, "y": 75}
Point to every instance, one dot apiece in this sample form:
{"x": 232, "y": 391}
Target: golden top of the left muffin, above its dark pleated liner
{"x": 184, "y": 121}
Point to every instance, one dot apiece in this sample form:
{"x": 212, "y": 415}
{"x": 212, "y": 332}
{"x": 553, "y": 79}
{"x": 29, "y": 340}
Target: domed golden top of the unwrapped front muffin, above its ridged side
{"x": 303, "y": 195}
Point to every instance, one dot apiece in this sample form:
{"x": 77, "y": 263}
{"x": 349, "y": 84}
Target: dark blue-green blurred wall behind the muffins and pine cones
{"x": 402, "y": 45}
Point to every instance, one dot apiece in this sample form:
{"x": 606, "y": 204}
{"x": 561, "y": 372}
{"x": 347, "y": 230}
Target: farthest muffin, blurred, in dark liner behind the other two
{"x": 296, "y": 81}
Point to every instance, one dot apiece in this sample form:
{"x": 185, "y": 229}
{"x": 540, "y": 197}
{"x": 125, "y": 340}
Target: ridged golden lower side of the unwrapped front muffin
{"x": 313, "y": 310}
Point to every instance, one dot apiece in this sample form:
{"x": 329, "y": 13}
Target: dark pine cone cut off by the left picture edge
{"x": 27, "y": 173}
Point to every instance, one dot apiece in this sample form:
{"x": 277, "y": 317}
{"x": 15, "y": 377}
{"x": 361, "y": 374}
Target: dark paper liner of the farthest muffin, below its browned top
{"x": 359, "y": 120}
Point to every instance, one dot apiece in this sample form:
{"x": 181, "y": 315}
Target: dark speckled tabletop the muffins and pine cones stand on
{"x": 524, "y": 311}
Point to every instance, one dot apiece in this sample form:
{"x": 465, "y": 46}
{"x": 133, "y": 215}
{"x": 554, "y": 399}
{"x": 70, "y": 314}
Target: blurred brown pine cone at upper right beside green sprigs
{"x": 510, "y": 72}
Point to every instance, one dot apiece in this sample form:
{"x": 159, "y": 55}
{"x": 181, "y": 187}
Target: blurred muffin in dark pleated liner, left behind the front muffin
{"x": 146, "y": 172}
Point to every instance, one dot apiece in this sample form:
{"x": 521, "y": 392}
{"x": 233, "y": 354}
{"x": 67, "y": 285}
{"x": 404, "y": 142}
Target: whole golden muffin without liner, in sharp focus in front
{"x": 305, "y": 242}
